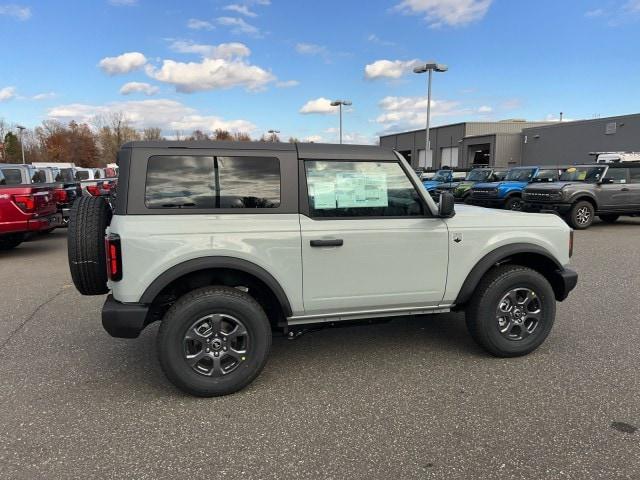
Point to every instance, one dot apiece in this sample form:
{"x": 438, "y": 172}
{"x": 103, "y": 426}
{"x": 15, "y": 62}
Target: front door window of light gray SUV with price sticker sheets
{"x": 360, "y": 189}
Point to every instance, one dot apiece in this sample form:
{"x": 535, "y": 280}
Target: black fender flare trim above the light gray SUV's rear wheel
{"x": 206, "y": 263}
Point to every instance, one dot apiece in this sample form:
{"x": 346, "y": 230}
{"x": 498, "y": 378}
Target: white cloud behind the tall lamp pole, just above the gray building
{"x": 411, "y": 112}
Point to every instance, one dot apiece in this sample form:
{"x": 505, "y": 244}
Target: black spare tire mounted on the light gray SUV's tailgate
{"x": 88, "y": 220}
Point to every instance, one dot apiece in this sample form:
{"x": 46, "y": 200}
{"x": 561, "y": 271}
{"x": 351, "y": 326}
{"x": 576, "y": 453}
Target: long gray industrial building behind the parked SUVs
{"x": 517, "y": 142}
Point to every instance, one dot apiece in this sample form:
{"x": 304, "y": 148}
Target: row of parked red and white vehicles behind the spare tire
{"x": 37, "y": 198}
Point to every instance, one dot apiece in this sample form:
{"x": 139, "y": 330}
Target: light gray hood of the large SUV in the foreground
{"x": 470, "y": 216}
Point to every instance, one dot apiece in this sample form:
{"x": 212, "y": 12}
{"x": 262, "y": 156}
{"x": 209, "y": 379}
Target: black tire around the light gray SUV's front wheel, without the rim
{"x": 481, "y": 312}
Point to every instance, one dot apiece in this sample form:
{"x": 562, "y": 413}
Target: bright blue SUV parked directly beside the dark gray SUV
{"x": 507, "y": 194}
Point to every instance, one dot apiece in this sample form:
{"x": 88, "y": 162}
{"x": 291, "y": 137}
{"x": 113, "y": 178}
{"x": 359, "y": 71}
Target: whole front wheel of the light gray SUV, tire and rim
{"x": 512, "y": 311}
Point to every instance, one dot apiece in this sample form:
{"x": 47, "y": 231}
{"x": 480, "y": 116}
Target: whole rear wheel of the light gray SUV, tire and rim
{"x": 214, "y": 341}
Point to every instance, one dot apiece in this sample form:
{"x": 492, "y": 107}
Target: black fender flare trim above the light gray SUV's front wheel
{"x": 493, "y": 258}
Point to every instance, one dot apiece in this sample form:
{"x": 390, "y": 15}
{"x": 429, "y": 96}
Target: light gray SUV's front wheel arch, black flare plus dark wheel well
{"x": 528, "y": 255}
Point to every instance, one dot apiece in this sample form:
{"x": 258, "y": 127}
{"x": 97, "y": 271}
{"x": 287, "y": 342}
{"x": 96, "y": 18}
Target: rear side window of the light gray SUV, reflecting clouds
{"x": 212, "y": 182}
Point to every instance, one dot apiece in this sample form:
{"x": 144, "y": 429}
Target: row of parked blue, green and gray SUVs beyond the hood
{"x": 578, "y": 193}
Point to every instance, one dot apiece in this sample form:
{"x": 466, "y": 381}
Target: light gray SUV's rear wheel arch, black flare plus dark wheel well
{"x": 228, "y": 271}
